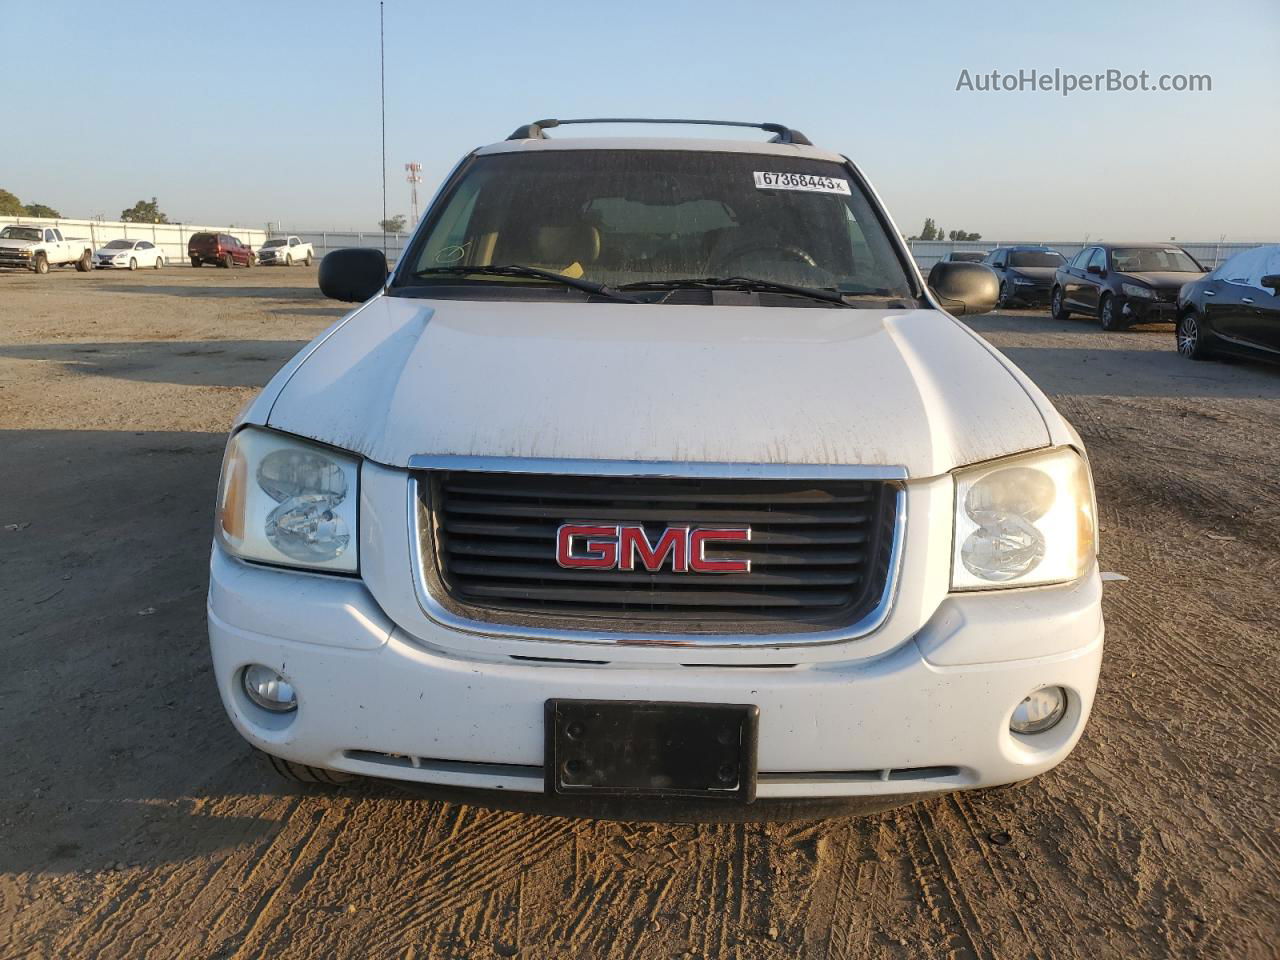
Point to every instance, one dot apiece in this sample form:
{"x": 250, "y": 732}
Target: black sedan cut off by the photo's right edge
{"x": 1236, "y": 310}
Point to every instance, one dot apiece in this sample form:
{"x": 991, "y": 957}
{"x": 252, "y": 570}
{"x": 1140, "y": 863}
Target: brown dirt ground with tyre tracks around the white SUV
{"x": 135, "y": 824}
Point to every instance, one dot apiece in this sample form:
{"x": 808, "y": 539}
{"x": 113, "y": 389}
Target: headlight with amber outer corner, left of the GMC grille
{"x": 286, "y": 501}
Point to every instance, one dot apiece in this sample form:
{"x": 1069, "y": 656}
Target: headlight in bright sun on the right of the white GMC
{"x": 1023, "y": 522}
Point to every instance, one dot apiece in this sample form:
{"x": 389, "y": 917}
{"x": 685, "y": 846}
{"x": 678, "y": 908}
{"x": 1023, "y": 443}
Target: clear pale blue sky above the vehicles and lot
{"x": 269, "y": 112}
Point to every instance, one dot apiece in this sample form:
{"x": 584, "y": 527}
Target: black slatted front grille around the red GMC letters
{"x": 820, "y": 551}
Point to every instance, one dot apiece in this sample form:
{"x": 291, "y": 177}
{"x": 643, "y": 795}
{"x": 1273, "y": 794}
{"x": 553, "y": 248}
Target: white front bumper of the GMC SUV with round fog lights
{"x": 929, "y": 716}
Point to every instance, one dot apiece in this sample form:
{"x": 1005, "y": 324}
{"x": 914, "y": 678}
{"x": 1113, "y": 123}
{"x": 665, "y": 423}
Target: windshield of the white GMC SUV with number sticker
{"x": 633, "y": 217}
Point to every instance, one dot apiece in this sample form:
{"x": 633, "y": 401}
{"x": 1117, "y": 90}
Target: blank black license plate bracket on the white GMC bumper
{"x": 652, "y": 748}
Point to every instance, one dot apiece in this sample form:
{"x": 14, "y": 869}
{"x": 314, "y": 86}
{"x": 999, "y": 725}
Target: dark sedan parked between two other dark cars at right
{"x": 1124, "y": 284}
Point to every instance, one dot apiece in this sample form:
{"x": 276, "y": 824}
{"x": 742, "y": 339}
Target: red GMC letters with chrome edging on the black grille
{"x": 623, "y": 546}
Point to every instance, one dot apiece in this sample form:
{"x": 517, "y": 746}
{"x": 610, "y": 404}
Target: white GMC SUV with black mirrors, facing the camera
{"x": 653, "y": 482}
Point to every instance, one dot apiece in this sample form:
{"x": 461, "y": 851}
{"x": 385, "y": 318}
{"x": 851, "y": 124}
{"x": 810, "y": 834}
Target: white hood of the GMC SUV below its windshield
{"x": 796, "y": 386}
